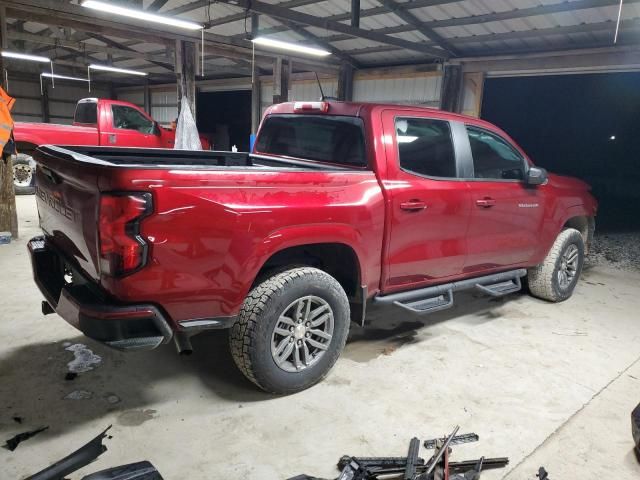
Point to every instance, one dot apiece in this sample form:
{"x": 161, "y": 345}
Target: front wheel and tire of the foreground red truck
{"x": 546, "y": 281}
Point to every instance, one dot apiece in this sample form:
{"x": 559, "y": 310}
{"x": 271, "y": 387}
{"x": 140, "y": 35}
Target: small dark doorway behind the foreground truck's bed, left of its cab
{"x": 226, "y": 118}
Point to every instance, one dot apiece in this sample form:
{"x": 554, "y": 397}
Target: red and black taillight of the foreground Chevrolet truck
{"x": 122, "y": 249}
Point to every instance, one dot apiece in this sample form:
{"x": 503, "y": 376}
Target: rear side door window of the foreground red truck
{"x": 425, "y": 147}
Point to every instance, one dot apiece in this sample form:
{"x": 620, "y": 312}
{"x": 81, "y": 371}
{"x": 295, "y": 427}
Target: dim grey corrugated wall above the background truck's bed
{"x": 62, "y": 100}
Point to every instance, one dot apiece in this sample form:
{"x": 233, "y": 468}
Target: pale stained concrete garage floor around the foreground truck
{"x": 544, "y": 384}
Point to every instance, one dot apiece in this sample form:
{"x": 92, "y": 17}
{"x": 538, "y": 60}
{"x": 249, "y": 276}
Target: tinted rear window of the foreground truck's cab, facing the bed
{"x": 313, "y": 137}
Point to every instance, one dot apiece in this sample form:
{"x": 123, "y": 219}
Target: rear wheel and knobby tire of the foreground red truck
{"x": 263, "y": 329}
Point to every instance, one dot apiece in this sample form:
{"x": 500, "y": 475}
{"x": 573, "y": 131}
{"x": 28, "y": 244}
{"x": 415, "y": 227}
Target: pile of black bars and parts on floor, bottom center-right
{"x": 412, "y": 467}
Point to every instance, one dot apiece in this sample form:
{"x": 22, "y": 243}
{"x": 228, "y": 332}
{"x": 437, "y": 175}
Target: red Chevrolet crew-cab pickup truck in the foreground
{"x": 339, "y": 206}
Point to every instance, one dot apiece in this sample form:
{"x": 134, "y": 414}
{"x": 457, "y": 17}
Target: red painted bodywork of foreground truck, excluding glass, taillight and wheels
{"x": 212, "y": 230}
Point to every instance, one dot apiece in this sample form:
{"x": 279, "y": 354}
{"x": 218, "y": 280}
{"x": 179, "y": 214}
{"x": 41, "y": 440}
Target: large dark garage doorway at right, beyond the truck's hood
{"x": 583, "y": 125}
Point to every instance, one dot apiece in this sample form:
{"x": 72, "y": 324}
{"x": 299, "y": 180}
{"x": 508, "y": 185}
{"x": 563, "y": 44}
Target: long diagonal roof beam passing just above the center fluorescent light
{"x": 310, "y": 20}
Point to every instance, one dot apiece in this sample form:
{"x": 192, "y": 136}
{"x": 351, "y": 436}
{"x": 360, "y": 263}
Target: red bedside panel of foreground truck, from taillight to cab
{"x": 211, "y": 231}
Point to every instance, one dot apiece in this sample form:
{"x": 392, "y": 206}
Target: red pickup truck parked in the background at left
{"x": 96, "y": 121}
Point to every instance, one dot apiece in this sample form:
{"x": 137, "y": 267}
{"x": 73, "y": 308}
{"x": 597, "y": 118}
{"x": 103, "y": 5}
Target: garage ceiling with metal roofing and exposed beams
{"x": 391, "y": 32}
